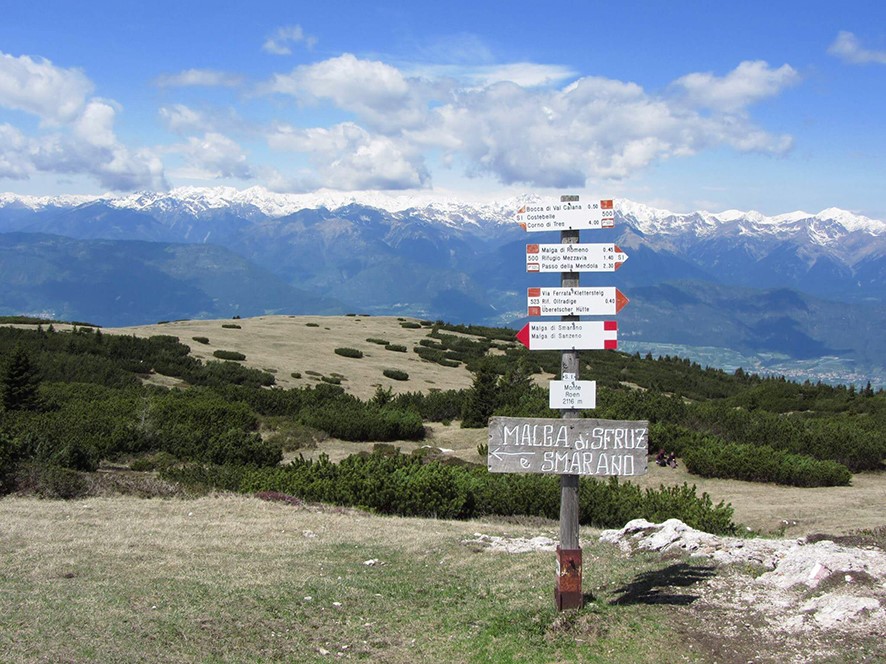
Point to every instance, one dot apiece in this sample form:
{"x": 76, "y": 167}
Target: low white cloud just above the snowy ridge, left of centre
{"x": 347, "y": 157}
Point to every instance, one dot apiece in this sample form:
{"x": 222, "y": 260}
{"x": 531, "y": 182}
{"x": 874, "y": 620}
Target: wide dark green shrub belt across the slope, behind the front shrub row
{"x": 72, "y": 399}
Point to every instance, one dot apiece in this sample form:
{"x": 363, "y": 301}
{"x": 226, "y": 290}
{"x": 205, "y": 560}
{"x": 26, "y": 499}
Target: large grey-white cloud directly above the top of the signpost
{"x": 593, "y": 128}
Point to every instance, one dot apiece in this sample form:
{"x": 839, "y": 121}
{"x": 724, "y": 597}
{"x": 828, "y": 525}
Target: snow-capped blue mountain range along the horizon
{"x": 463, "y": 261}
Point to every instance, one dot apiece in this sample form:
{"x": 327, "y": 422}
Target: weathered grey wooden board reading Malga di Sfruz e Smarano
{"x": 568, "y": 447}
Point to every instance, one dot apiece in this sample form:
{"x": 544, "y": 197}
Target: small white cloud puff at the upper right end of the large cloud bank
{"x": 750, "y": 82}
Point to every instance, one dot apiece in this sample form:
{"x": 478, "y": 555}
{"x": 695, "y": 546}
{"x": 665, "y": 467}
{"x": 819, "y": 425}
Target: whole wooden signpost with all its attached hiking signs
{"x": 570, "y": 446}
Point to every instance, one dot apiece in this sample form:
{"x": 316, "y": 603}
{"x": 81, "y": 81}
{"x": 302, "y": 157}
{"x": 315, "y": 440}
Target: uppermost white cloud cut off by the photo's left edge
{"x": 38, "y": 87}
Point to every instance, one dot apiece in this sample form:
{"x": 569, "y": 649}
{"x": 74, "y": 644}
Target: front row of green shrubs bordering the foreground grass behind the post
{"x": 388, "y": 482}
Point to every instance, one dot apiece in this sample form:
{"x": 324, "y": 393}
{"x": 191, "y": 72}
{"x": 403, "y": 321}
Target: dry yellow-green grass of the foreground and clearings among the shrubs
{"x": 233, "y": 578}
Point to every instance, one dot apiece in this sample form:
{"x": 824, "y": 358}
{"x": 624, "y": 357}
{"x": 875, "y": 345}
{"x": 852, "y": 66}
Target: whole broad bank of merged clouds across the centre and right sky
{"x": 511, "y": 122}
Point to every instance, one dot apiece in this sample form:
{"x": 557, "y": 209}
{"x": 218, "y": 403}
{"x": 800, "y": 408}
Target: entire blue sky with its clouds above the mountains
{"x": 772, "y": 106}
